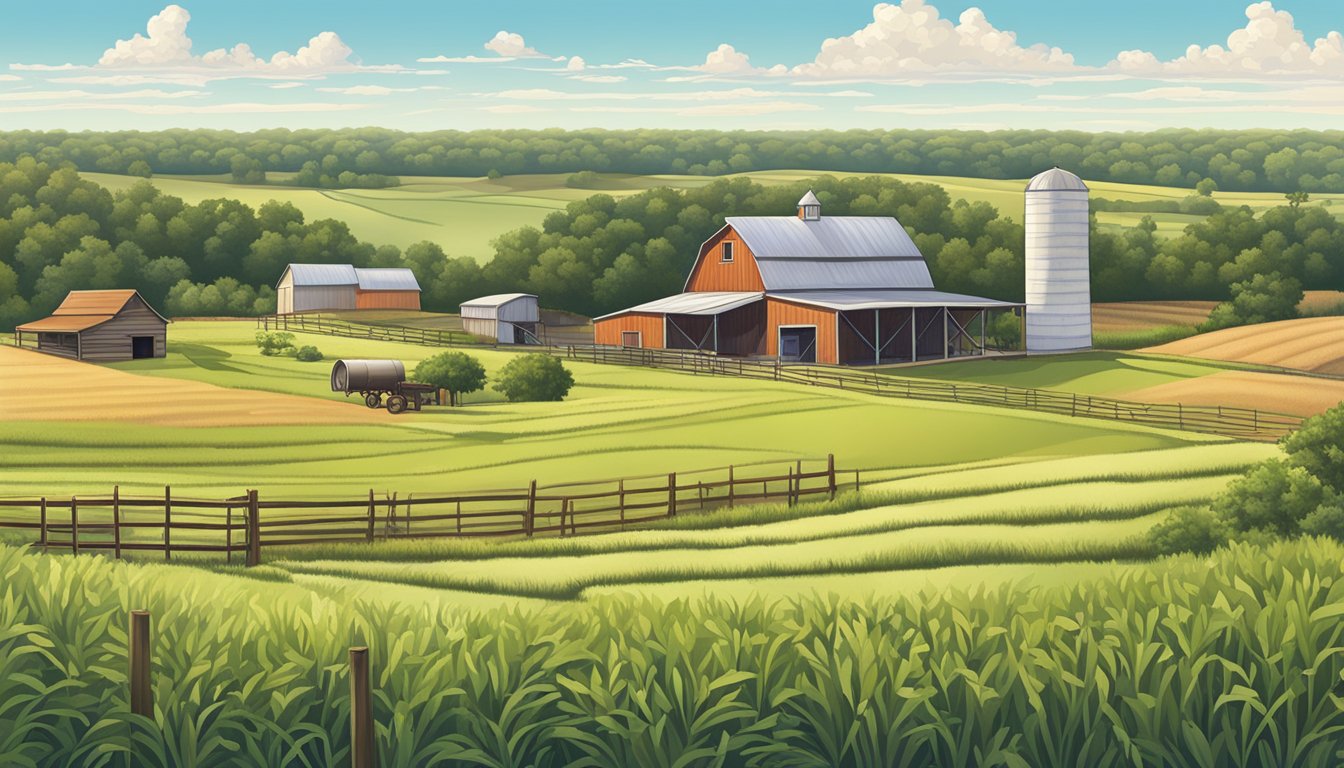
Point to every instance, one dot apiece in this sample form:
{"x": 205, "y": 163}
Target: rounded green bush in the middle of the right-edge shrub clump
{"x": 1275, "y": 497}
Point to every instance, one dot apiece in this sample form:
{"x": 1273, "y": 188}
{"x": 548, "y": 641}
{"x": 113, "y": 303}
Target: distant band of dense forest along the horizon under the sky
{"x": 1245, "y": 161}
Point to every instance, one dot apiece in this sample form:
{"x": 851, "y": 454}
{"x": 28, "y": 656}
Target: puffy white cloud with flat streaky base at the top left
{"x": 165, "y": 54}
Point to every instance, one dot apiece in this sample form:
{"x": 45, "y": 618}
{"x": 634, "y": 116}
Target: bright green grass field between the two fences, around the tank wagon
{"x": 618, "y": 422}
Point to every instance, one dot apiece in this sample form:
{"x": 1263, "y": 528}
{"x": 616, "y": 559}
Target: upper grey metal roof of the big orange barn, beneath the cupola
{"x": 833, "y": 254}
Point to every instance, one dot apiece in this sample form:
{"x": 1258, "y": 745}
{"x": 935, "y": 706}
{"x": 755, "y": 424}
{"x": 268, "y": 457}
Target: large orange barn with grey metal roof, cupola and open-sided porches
{"x": 810, "y": 289}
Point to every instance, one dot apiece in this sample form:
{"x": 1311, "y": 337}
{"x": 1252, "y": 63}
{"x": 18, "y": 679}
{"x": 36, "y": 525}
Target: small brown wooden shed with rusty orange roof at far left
{"x": 103, "y": 326}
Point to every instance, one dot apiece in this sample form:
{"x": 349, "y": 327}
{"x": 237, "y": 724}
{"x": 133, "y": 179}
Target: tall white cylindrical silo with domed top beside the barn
{"x": 1058, "y": 279}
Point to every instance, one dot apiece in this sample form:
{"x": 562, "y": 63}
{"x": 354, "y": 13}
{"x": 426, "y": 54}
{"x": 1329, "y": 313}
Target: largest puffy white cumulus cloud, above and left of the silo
{"x": 913, "y": 38}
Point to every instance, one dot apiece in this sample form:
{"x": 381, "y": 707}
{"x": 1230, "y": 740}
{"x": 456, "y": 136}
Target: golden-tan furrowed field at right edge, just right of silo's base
{"x": 1314, "y": 345}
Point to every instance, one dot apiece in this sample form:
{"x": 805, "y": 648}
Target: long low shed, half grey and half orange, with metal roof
{"x": 312, "y": 287}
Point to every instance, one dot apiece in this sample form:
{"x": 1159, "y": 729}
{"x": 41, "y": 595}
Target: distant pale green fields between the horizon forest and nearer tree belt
{"x": 467, "y": 215}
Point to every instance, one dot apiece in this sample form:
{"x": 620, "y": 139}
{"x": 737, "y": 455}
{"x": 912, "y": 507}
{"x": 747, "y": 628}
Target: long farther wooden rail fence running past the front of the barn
{"x": 1240, "y": 423}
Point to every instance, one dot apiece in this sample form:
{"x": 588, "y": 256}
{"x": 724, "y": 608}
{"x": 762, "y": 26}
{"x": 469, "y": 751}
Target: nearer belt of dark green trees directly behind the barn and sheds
{"x": 60, "y": 232}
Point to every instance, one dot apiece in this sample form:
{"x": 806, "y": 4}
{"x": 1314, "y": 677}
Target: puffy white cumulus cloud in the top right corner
{"x": 1269, "y": 45}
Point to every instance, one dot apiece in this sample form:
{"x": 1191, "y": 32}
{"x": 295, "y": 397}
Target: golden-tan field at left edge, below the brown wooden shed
{"x": 45, "y": 388}
